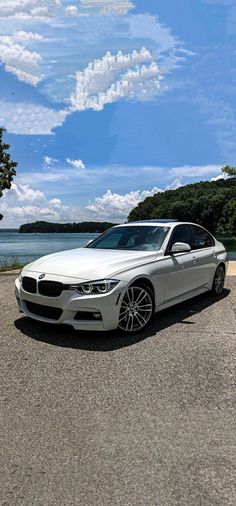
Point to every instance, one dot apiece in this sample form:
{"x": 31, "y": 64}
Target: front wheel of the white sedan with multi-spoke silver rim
{"x": 137, "y": 309}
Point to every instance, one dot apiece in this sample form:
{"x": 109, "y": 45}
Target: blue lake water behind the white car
{"x": 25, "y": 248}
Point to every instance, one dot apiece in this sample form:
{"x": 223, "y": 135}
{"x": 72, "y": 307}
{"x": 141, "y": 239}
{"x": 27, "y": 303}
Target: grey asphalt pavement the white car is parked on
{"x": 91, "y": 419}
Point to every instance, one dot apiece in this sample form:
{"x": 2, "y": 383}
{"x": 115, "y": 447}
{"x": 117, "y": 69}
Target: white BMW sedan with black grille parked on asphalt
{"x": 124, "y": 276}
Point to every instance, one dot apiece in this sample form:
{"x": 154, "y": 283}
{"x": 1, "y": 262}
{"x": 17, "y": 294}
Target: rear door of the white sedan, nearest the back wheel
{"x": 203, "y": 245}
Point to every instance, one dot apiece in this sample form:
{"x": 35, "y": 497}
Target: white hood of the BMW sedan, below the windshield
{"x": 90, "y": 264}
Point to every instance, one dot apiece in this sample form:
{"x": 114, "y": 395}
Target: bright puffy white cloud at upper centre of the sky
{"x": 132, "y": 76}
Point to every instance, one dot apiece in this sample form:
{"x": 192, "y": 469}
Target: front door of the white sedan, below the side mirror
{"x": 180, "y": 268}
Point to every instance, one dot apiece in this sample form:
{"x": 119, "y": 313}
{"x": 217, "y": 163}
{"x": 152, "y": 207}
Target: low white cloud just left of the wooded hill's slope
{"x": 115, "y": 206}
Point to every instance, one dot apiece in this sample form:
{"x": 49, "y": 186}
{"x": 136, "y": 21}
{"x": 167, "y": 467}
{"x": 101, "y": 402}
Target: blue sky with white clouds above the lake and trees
{"x": 108, "y": 101}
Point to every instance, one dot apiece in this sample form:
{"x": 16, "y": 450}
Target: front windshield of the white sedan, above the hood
{"x": 139, "y": 238}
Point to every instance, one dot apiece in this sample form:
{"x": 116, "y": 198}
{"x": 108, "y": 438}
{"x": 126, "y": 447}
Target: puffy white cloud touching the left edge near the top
{"x": 24, "y": 64}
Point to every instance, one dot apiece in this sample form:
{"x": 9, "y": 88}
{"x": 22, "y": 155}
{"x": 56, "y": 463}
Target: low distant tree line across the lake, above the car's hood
{"x": 46, "y": 227}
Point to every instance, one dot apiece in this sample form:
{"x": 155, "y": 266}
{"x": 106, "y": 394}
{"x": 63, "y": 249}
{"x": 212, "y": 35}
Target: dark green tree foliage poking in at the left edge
{"x": 7, "y": 166}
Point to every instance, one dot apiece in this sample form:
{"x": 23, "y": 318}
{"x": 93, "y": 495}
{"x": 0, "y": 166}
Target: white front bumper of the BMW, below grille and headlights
{"x": 71, "y": 303}
